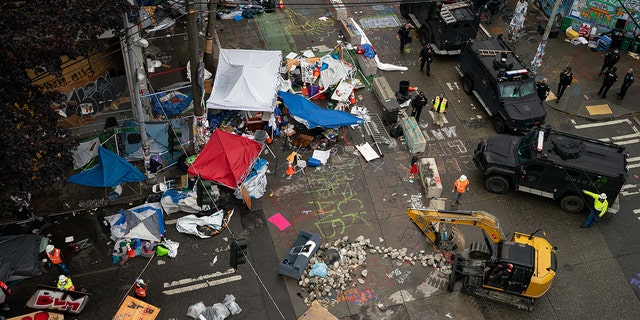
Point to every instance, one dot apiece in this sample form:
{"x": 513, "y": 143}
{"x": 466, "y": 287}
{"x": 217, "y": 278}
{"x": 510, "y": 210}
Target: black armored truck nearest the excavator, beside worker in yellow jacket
{"x": 553, "y": 164}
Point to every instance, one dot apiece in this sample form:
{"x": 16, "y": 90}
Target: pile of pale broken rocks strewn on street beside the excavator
{"x": 347, "y": 266}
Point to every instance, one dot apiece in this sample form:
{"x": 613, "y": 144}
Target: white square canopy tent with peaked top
{"x": 246, "y": 80}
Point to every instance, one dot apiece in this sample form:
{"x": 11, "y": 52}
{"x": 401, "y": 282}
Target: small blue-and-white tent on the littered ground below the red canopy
{"x": 144, "y": 222}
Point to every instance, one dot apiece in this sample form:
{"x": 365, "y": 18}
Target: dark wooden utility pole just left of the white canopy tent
{"x": 197, "y": 78}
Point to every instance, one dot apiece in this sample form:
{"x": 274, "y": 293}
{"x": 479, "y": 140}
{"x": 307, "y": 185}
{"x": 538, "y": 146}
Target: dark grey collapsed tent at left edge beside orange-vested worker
{"x": 19, "y": 256}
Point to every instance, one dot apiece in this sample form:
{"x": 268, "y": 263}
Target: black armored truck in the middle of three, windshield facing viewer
{"x": 502, "y": 83}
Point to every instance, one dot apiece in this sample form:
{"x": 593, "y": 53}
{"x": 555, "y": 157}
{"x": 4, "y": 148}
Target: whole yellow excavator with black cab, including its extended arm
{"x": 515, "y": 271}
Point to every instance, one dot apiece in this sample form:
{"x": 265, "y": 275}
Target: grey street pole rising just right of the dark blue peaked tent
{"x": 131, "y": 70}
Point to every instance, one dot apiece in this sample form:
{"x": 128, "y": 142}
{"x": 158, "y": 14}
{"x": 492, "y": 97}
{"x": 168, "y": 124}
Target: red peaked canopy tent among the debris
{"x": 226, "y": 159}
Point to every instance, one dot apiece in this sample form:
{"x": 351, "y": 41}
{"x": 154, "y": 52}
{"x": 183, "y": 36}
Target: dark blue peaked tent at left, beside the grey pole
{"x": 111, "y": 170}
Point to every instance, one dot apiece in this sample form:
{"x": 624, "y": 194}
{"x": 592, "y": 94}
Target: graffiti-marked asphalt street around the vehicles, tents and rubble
{"x": 350, "y": 197}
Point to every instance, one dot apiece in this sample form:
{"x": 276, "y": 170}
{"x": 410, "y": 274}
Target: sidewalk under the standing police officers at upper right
{"x": 581, "y": 98}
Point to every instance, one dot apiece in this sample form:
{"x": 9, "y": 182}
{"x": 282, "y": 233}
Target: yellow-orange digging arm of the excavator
{"x": 426, "y": 220}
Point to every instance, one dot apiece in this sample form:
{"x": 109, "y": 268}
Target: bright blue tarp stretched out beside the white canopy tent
{"x": 315, "y": 116}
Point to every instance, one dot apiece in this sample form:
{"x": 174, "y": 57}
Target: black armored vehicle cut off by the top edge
{"x": 446, "y": 26}
